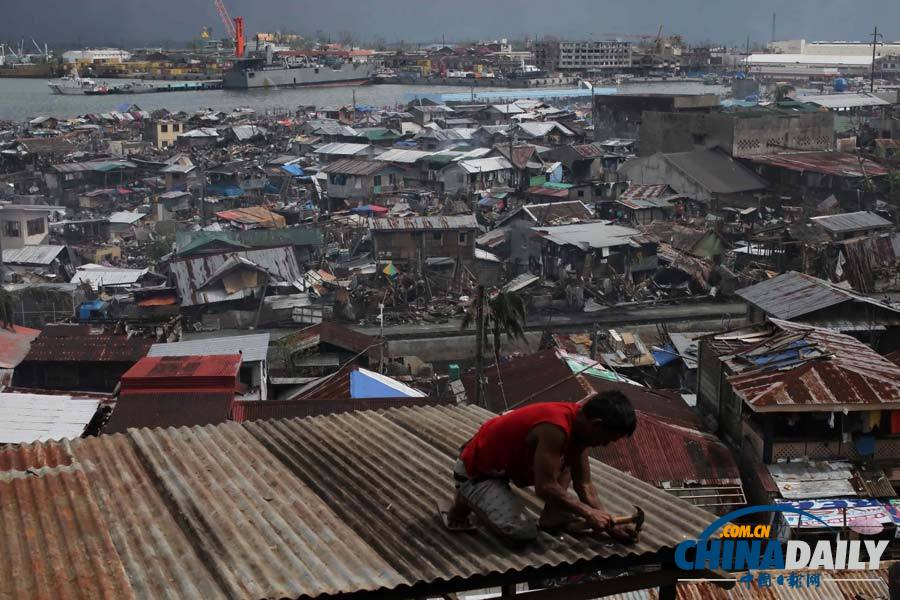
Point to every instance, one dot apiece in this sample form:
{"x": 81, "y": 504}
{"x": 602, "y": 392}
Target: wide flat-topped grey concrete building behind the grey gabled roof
{"x": 740, "y": 134}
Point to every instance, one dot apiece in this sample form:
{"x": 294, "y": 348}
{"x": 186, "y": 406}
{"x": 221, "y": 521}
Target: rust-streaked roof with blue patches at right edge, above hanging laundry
{"x": 809, "y": 368}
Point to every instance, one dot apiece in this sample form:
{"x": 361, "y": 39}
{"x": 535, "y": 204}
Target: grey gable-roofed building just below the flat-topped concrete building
{"x": 708, "y": 176}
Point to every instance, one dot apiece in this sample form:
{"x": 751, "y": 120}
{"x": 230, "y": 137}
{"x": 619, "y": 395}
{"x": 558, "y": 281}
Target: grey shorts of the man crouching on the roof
{"x": 494, "y": 502}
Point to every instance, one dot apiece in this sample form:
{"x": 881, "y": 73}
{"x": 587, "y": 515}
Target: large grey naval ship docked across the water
{"x": 285, "y": 70}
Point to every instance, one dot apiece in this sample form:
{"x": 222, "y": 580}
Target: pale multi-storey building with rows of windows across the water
{"x": 597, "y": 56}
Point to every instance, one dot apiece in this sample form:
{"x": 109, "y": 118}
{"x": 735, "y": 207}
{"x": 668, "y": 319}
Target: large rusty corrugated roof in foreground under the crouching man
{"x": 292, "y": 508}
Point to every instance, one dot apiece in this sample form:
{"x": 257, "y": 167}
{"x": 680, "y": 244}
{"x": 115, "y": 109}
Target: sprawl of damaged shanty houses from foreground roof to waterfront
{"x": 217, "y": 326}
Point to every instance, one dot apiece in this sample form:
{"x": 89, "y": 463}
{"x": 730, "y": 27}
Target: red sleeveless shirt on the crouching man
{"x": 499, "y": 448}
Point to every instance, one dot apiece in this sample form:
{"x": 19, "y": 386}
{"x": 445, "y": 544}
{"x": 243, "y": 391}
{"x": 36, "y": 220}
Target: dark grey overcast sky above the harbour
{"x": 133, "y": 22}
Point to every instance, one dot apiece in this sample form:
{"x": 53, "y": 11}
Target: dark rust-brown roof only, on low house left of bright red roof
{"x": 86, "y": 343}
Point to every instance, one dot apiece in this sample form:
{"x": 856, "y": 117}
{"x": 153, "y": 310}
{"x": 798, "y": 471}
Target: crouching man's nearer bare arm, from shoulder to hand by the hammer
{"x": 548, "y": 455}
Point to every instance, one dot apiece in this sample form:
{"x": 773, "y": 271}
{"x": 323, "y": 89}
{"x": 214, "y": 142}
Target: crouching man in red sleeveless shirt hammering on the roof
{"x": 544, "y": 445}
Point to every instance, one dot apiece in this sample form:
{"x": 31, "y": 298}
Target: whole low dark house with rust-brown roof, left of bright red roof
{"x": 79, "y": 357}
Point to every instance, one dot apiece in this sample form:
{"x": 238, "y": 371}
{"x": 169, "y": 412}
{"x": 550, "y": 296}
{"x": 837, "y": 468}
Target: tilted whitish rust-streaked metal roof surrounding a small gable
{"x": 191, "y": 273}
